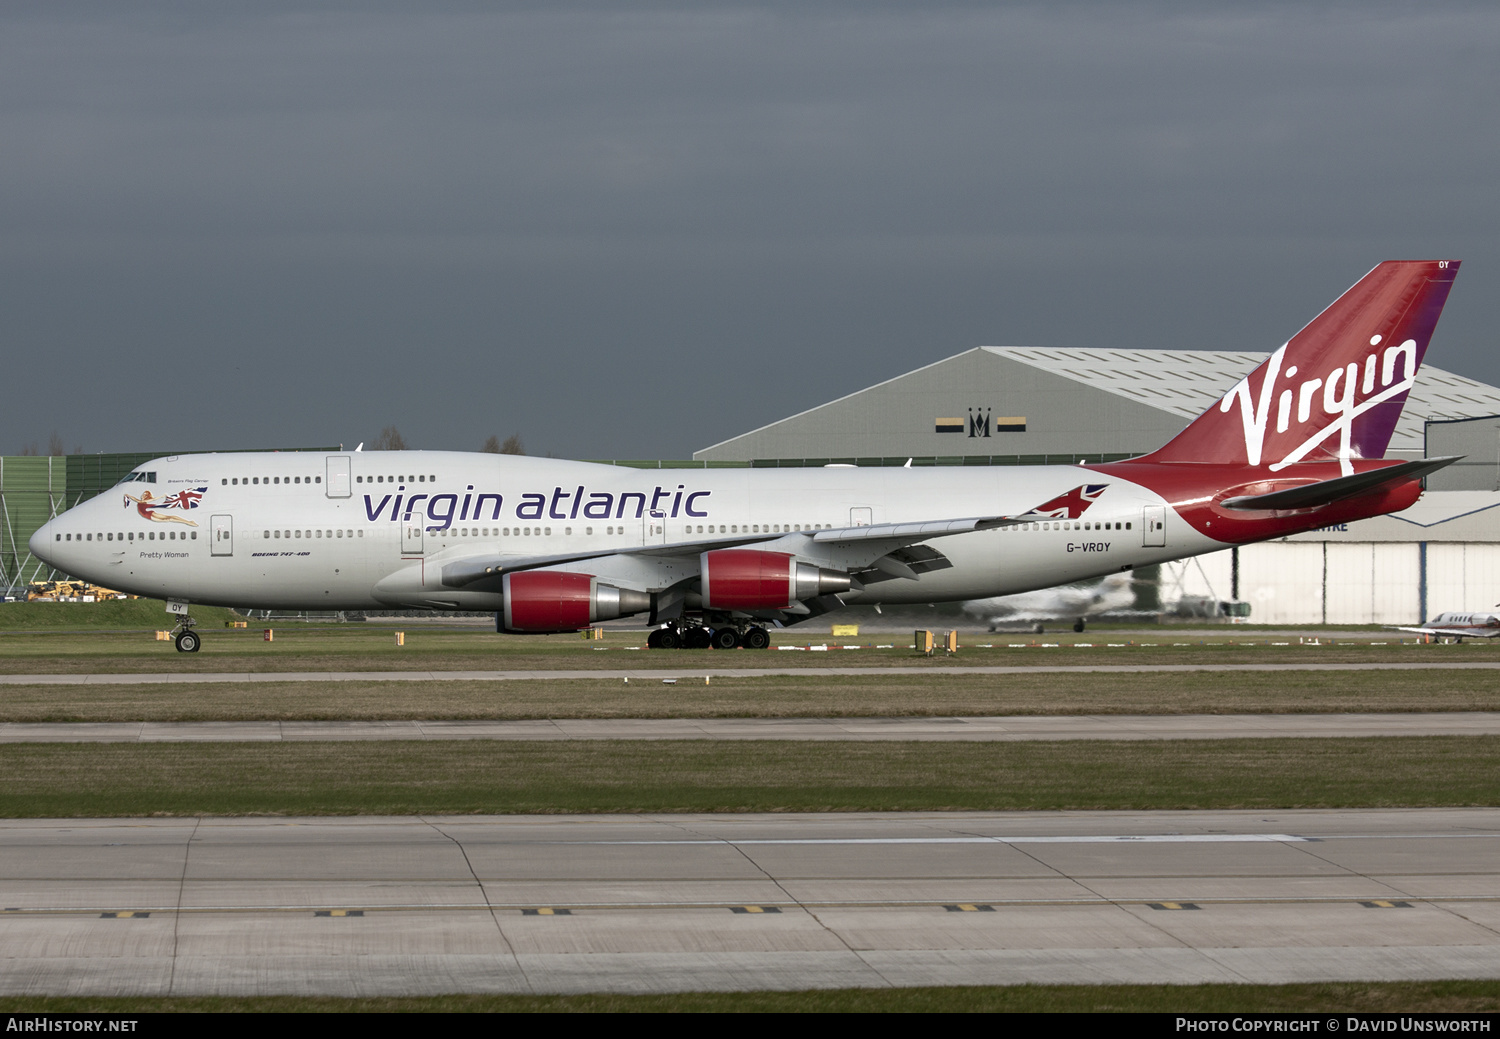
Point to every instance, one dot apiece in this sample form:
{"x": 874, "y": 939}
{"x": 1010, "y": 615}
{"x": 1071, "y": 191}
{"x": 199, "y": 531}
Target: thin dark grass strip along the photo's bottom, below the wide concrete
{"x": 1349, "y": 998}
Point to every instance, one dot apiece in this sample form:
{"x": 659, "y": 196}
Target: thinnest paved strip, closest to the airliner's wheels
{"x": 656, "y": 674}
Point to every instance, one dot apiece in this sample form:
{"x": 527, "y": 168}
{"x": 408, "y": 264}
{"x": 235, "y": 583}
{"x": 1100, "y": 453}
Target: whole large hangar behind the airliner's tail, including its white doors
{"x": 1024, "y": 406}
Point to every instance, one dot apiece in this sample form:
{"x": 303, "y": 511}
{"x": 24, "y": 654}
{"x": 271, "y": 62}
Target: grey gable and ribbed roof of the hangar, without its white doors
{"x": 1028, "y": 406}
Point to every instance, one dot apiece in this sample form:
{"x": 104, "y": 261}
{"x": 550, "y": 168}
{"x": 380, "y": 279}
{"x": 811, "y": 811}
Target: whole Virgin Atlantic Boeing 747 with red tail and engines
{"x": 716, "y": 557}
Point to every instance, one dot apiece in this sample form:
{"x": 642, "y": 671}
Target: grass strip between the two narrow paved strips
{"x": 874, "y": 695}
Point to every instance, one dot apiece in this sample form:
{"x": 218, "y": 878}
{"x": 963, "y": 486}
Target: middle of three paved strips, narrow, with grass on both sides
{"x": 947, "y": 729}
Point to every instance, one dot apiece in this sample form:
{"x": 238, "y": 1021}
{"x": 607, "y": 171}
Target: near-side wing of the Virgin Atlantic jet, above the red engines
{"x": 862, "y": 546}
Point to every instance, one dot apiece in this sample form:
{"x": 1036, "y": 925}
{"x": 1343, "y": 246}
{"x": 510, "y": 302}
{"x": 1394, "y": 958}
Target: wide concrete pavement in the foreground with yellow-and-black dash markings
{"x": 674, "y": 903}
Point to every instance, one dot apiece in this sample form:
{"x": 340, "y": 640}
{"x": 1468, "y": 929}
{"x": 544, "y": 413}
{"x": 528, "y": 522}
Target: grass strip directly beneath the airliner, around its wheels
{"x": 373, "y": 647}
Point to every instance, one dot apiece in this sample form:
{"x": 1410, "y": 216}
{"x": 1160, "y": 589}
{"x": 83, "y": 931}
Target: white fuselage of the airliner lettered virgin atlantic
{"x": 376, "y": 530}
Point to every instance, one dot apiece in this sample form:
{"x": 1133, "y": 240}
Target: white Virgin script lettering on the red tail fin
{"x": 1339, "y": 398}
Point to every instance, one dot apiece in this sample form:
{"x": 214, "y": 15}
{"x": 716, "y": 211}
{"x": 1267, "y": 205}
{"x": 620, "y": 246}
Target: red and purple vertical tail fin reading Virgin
{"x": 1337, "y": 388}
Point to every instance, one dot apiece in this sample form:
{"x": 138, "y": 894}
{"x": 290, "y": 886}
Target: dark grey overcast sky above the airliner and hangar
{"x": 637, "y": 230}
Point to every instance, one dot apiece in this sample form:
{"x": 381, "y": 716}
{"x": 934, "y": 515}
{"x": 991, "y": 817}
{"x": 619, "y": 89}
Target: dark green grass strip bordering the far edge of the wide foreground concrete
{"x": 397, "y": 779}
